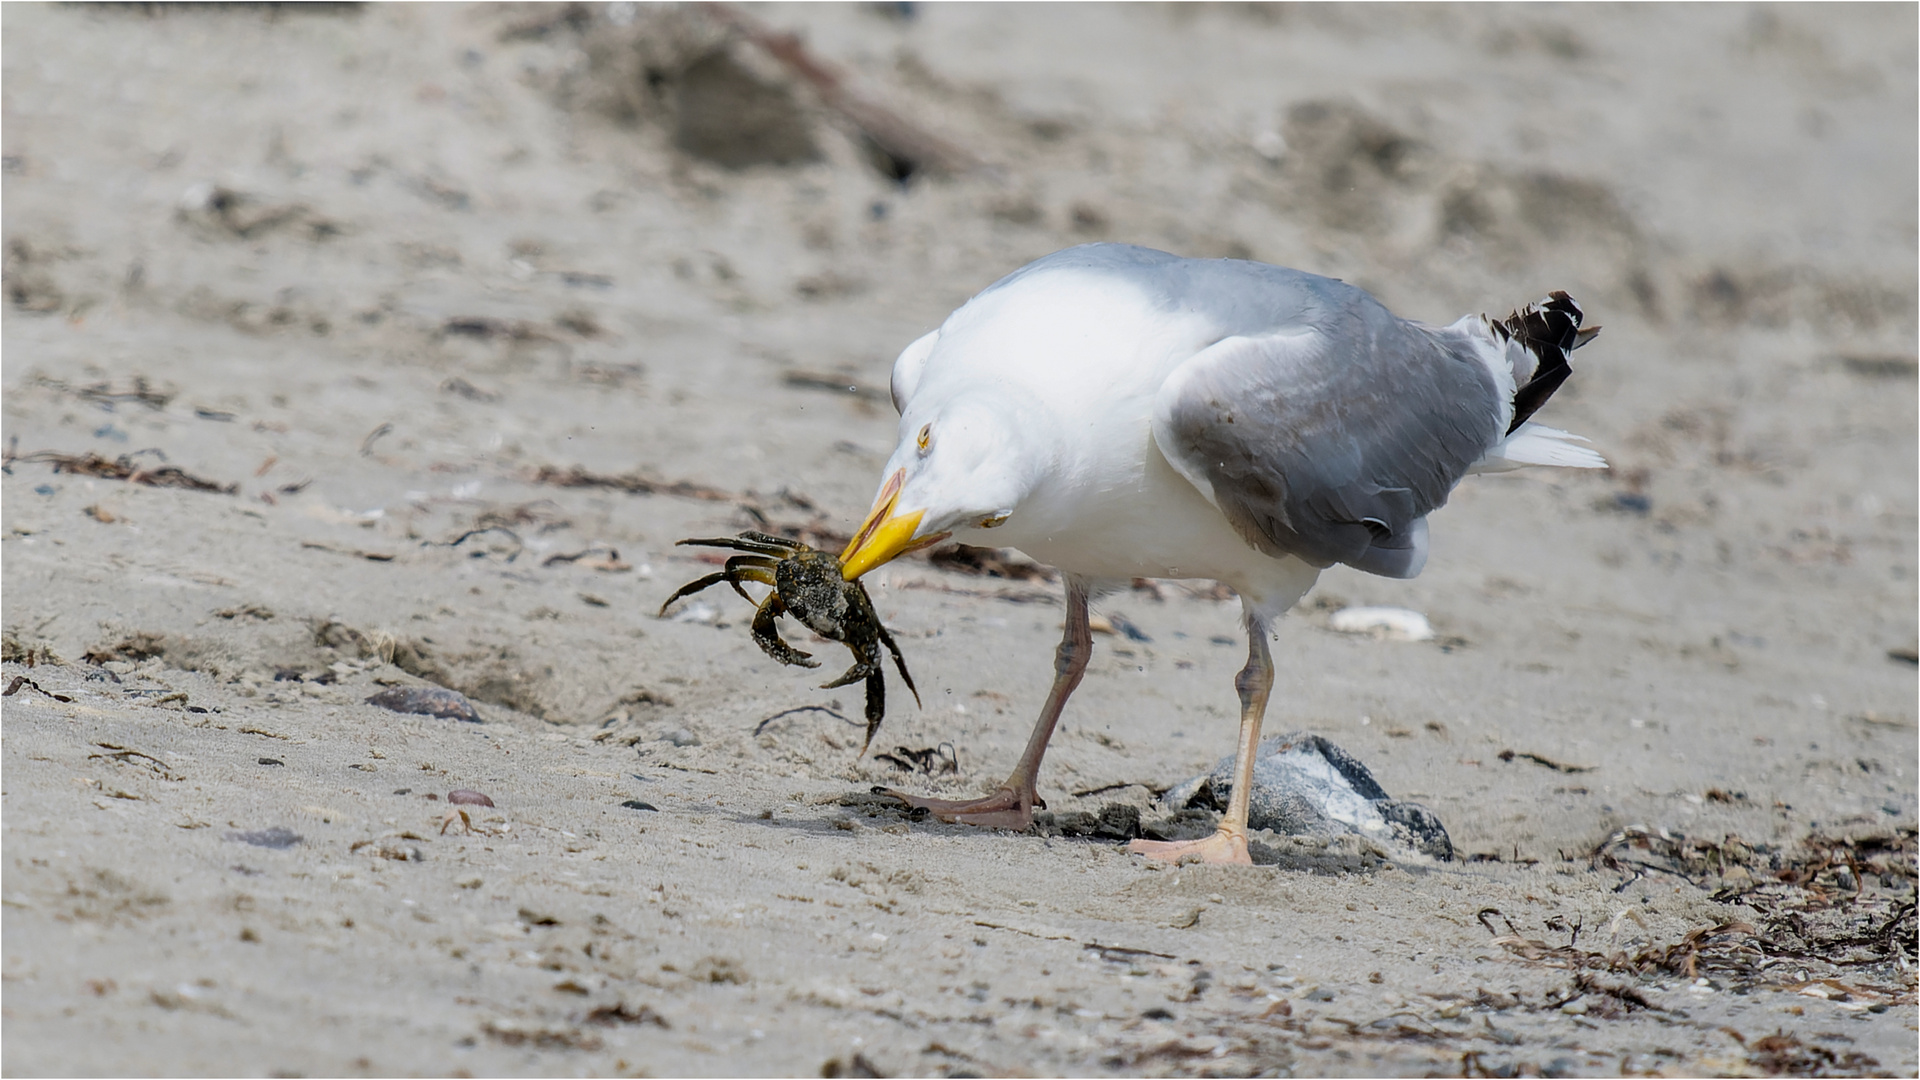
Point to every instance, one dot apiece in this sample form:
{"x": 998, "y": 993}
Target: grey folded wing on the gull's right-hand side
{"x": 1332, "y": 437}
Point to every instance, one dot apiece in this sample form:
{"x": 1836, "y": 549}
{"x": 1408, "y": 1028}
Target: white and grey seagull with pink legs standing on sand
{"x": 1118, "y": 412}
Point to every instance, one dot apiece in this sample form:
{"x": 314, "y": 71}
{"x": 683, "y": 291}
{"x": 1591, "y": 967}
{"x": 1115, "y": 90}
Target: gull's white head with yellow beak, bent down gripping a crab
{"x": 961, "y": 464}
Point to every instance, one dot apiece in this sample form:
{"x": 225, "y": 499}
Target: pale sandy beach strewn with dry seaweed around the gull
{"x": 396, "y": 274}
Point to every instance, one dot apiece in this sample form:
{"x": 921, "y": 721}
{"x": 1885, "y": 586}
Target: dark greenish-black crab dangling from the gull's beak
{"x": 809, "y": 587}
